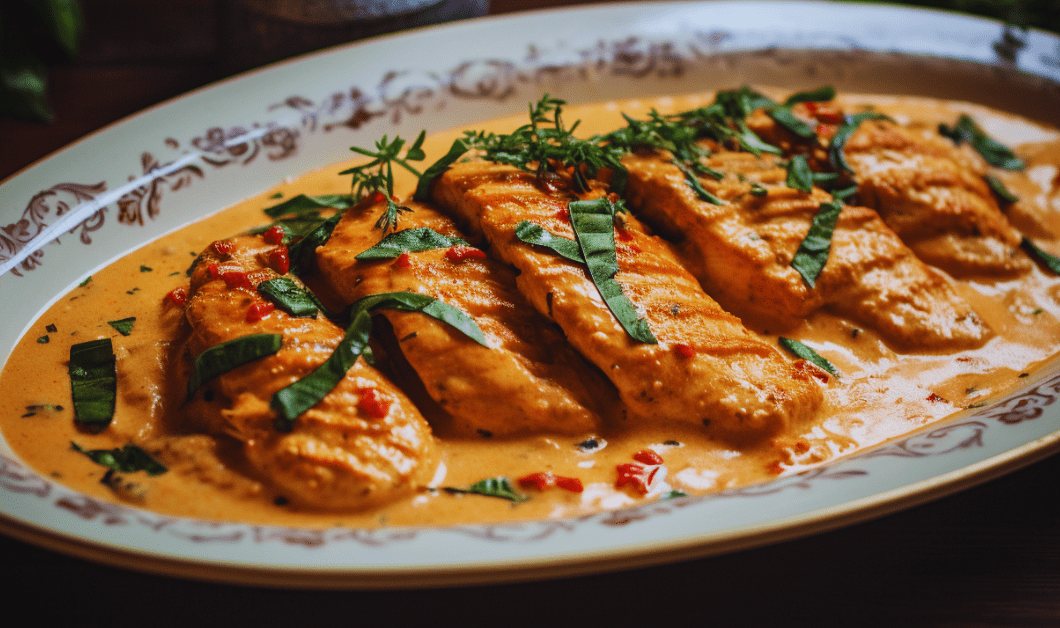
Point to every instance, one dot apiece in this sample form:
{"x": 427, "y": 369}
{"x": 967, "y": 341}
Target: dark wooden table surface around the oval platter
{"x": 990, "y": 556}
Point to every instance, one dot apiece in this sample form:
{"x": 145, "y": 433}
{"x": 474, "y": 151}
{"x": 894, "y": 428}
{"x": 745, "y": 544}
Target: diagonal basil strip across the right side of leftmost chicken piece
{"x": 297, "y": 398}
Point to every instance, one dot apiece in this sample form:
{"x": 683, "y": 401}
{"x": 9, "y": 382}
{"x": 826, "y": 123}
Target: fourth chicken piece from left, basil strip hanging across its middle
{"x": 743, "y": 250}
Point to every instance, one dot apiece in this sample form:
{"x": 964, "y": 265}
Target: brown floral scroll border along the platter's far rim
{"x": 397, "y": 96}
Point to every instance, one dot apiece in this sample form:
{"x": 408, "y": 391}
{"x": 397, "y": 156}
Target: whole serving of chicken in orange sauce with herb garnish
{"x": 678, "y": 296}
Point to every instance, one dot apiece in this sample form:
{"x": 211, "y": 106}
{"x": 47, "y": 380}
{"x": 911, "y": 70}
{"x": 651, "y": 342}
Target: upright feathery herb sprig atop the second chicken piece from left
{"x": 378, "y": 176}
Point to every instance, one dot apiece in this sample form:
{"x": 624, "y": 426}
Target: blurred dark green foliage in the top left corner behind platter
{"x": 32, "y": 34}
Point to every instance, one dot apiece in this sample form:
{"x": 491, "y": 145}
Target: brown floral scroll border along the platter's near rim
{"x": 945, "y": 440}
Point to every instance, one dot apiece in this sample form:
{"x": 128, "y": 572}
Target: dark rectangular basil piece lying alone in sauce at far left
{"x": 94, "y": 382}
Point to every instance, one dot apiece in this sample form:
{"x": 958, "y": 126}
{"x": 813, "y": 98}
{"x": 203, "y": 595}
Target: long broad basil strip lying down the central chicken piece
{"x": 594, "y": 224}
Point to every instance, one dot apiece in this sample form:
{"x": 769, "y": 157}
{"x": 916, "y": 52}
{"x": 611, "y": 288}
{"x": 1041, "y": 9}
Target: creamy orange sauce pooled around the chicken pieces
{"x": 880, "y": 394}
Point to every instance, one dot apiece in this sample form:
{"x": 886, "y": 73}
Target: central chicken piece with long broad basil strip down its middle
{"x": 706, "y": 368}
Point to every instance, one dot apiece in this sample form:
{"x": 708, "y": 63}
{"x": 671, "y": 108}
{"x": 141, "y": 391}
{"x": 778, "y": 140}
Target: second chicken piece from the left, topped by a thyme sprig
{"x": 528, "y": 380}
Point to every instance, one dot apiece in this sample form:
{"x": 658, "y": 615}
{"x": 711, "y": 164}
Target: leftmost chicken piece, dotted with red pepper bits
{"x": 365, "y": 444}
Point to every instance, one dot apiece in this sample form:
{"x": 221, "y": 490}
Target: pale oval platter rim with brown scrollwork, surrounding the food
{"x": 168, "y": 166}
